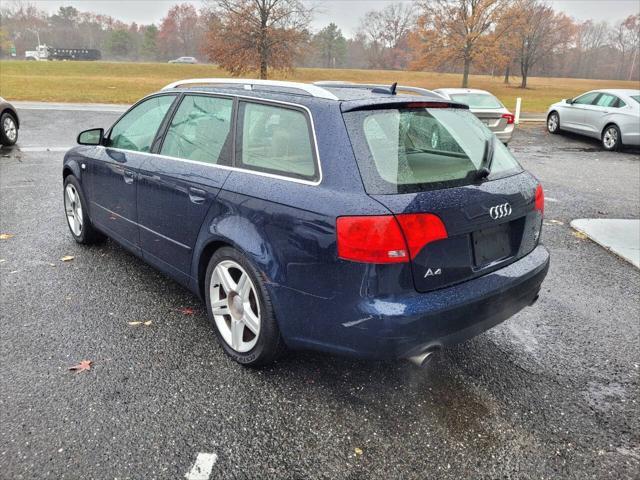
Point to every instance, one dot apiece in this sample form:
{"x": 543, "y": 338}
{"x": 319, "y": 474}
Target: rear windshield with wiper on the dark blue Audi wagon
{"x": 411, "y": 150}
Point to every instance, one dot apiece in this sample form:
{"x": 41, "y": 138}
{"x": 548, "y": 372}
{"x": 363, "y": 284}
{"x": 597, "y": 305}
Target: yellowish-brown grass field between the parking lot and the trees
{"x": 110, "y": 82}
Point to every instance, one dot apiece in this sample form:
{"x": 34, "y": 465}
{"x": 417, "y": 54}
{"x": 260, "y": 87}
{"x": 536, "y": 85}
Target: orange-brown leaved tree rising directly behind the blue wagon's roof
{"x": 257, "y": 34}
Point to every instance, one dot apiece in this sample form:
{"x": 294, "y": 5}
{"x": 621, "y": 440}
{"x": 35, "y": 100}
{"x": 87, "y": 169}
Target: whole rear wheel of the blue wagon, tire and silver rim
{"x": 240, "y": 309}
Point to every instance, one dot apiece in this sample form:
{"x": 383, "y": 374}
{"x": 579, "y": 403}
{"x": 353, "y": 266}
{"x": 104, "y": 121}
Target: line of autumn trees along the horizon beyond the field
{"x": 498, "y": 37}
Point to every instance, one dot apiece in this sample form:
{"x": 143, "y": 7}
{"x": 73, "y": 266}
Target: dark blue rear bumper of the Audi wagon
{"x": 399, "y": 327}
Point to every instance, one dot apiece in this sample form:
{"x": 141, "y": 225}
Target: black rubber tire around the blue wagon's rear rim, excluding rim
{"x": 269, "y": 345}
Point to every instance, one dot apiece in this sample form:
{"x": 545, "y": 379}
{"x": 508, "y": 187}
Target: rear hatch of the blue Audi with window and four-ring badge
{"x": 426, "y": 161}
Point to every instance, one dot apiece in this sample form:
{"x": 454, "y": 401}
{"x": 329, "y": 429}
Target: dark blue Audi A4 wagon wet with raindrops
{"x": 358, "y": 220}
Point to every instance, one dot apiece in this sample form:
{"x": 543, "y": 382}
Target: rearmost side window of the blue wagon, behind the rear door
{"x": 275, "y": 140}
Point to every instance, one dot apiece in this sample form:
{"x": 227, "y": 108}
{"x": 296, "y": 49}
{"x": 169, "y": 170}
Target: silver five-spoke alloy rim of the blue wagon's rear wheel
{"x": 235, "y": 306}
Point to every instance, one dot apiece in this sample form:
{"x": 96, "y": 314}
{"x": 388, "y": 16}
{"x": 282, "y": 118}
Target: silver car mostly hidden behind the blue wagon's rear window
{"x": 486, "y": 107}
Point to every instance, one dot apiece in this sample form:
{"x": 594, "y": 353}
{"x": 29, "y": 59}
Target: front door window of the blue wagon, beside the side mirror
{"x": 137, "y": 129}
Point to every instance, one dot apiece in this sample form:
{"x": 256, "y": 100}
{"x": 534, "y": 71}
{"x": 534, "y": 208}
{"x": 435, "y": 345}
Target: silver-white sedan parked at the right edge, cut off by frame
{"x": 612, "y": 116}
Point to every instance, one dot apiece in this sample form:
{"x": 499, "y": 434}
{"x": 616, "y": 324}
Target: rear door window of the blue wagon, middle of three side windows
{"x": 200, "y": 130}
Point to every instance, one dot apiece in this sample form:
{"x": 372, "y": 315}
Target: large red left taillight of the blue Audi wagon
{"x": 385, "y": 238}
